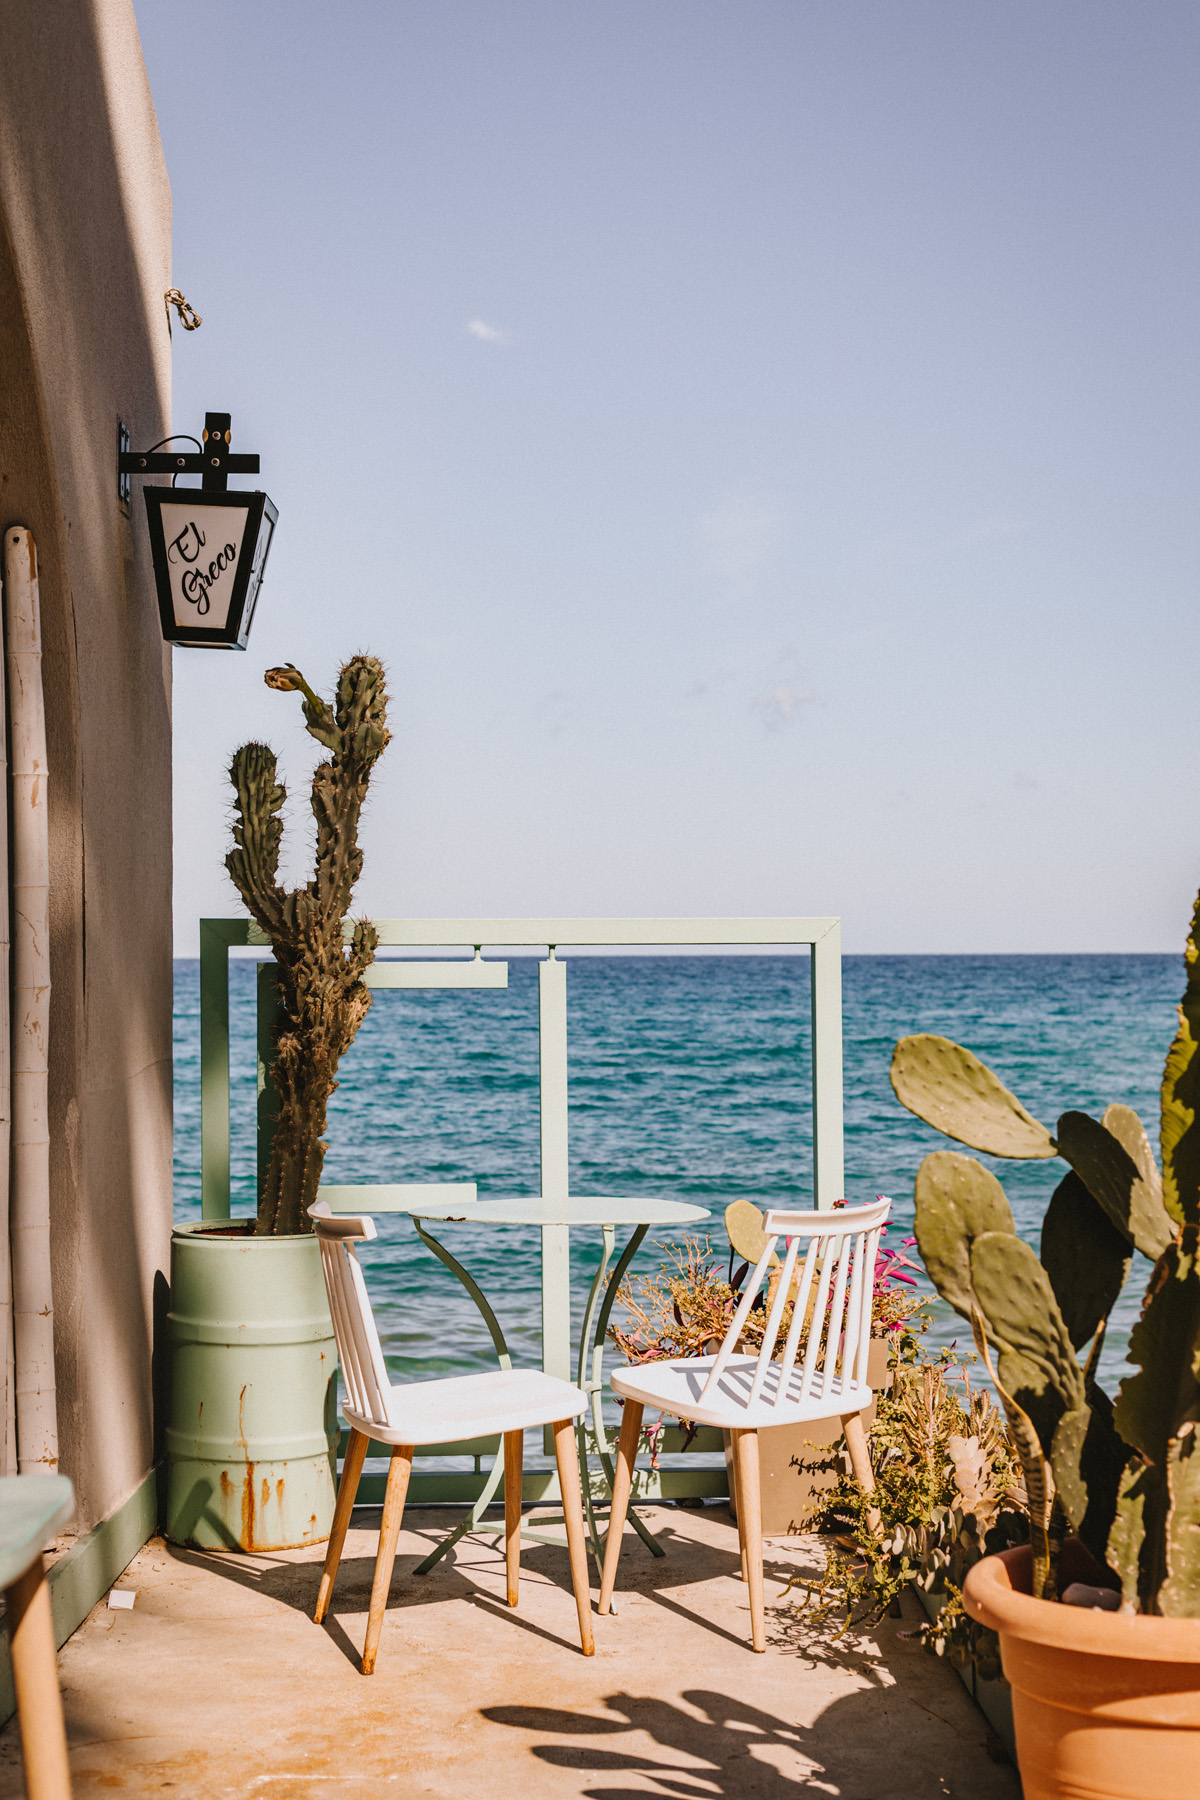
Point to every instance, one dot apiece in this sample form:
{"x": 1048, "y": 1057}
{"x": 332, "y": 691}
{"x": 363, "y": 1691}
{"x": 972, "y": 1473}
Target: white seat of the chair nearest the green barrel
{"x": 472, "y": 1407}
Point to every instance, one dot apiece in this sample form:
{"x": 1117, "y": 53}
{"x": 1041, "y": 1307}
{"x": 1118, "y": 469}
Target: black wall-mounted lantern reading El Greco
{"x": 210, "y": 544}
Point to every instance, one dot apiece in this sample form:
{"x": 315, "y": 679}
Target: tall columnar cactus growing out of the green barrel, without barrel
{"x": 321, "y": 994}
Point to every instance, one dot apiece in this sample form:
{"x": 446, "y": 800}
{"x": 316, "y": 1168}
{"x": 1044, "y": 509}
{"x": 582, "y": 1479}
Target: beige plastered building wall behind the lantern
{"x": 85, "y": 258}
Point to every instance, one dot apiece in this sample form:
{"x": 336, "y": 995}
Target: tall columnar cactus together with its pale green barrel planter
{"x": 253, "y": 1434}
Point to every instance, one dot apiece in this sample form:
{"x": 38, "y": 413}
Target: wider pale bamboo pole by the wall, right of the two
{"x": 30, "y": 1201}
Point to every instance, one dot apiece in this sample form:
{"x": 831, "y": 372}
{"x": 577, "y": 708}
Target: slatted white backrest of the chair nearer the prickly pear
{"x": 834, "y": 1322}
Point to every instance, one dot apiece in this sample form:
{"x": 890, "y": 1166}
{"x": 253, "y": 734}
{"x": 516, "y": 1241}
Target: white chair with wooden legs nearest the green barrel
{"x": 434, "y": 1412}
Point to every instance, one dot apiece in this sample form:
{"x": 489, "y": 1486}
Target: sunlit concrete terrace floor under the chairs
{"x": 219, "y": 1684}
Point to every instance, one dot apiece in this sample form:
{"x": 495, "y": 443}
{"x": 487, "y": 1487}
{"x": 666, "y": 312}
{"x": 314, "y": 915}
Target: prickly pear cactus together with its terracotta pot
{"x": 1100, "y": 1614}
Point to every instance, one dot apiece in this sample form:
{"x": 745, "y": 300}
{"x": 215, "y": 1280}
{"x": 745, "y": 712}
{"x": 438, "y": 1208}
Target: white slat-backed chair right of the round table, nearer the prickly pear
{"x": 821, "y": 1372}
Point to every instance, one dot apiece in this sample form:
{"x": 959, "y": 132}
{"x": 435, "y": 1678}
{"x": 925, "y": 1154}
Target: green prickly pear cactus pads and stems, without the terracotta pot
{"x": 1125, "y": 1479}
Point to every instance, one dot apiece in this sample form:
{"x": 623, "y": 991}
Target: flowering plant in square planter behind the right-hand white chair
{"x": 685, "y": 1309}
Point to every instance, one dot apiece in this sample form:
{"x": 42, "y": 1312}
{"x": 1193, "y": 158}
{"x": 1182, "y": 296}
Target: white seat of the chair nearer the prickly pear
{"x": 674, "y": 1387}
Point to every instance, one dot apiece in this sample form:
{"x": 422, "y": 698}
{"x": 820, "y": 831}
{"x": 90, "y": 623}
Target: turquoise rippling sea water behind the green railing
{"x": 690, "y": 1079}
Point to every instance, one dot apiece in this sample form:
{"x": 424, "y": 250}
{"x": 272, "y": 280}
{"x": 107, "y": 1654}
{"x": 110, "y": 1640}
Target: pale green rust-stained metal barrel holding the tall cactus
{"x": 253, "y": 1435}
